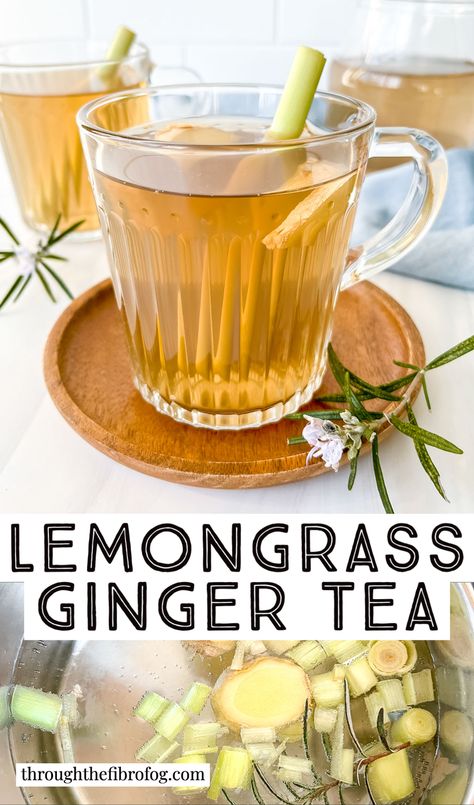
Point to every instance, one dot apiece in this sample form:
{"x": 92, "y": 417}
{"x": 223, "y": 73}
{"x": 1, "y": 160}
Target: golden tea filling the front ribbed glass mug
{"x": 228, "y": 299}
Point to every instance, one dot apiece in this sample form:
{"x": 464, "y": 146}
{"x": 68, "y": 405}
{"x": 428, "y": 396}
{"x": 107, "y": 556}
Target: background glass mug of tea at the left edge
{"x": 42, "y": 86}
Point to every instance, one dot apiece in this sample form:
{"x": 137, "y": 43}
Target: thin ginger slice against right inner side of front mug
{"x": 313, "y": 212}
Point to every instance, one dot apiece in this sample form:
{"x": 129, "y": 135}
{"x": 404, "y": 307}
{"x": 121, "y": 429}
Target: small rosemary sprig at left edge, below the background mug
{"x": 36, "y": 262}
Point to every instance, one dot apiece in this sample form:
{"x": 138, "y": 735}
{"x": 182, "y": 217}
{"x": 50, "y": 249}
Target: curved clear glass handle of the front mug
{"x": 418, "y": 210}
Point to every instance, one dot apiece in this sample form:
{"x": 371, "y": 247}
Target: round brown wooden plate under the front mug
{"x": 88, "y": 375}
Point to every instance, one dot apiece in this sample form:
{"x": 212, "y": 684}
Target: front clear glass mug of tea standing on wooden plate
{"x": 227, "y": 257}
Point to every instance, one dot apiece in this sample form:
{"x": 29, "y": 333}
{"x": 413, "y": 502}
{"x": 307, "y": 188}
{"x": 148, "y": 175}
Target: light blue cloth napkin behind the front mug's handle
{"x": 446, "y": 253}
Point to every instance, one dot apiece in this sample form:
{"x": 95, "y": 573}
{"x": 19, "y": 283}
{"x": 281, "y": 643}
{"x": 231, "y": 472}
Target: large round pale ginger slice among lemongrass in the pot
{"x": 267, "y": 692}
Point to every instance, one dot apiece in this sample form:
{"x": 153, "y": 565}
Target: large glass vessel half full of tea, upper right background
{"x": 412, "y": 60}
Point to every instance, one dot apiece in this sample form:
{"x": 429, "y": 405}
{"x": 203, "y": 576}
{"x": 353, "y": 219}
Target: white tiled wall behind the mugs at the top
{"x": 224, "y": 40}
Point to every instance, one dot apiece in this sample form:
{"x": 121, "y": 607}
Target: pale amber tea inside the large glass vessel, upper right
{"x": 436, "y": 95}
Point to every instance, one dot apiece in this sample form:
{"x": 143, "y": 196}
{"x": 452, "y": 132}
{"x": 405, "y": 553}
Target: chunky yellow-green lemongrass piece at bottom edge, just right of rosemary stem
{"x": 390, "y": 778}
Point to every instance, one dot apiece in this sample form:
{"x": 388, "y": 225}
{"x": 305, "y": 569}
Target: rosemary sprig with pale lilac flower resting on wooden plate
{"x": 329, "y": 439}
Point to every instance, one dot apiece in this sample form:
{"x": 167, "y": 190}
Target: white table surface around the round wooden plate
{"x": 46, "y": 466}
